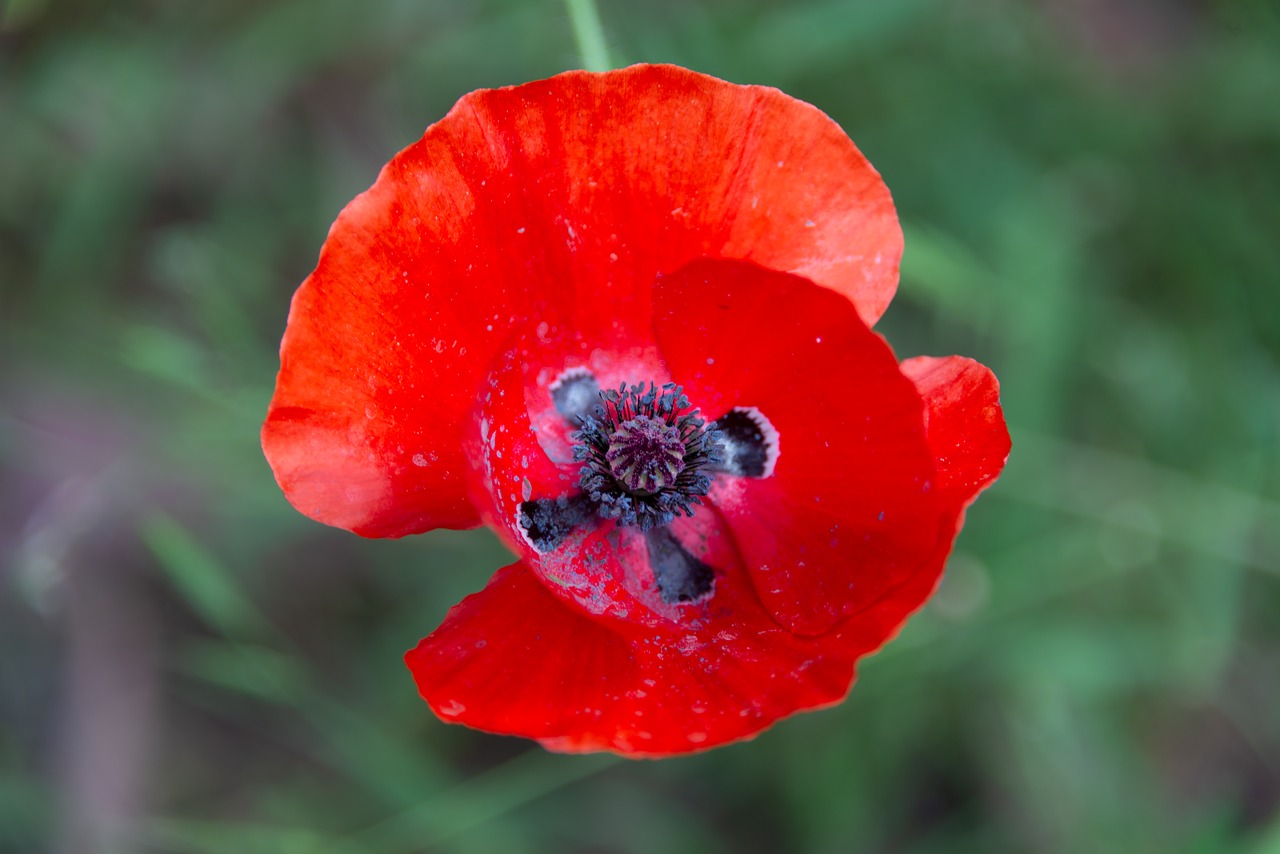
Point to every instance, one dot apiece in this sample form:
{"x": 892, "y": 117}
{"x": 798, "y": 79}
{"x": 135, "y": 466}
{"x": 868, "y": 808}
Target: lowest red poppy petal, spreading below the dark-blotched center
{"x": 515, "y": 660}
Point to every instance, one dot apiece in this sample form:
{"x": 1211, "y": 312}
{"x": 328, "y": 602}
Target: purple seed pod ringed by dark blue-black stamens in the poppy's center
{"x": 646, "y": 455}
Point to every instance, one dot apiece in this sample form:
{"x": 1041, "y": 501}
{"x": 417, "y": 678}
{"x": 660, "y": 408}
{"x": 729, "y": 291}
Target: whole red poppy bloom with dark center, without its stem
{"x": 624, "y": 321}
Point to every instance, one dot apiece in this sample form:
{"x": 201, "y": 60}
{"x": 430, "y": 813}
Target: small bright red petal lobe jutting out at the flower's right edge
{"x": 964, "y": 424}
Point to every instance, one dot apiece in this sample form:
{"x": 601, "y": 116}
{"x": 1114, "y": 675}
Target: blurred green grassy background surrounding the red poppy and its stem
{"x": 1091, "y": 194}
